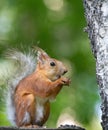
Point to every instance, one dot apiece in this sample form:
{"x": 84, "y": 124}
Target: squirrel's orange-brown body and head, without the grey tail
{"x": 36, "y": 90}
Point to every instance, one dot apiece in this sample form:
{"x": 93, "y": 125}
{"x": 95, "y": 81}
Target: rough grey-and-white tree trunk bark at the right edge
{"x": 96, "y": 13}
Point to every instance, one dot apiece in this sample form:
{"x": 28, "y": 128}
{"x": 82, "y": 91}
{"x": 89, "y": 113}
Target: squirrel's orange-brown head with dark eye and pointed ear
{"x": 50, "y": 67}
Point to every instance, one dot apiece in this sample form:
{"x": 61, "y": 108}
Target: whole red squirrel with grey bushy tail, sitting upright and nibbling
{"x": 38, "y": 81}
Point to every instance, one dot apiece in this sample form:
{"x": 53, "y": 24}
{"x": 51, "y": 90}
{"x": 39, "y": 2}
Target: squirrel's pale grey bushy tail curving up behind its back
{"x": 25, "y": 64}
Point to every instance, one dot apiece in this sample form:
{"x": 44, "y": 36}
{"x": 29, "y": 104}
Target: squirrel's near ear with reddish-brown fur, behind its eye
{"x": 42, "y": 57}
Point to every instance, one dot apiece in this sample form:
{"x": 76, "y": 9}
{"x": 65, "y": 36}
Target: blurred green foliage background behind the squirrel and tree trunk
{"x": 57, "y": 27}
